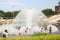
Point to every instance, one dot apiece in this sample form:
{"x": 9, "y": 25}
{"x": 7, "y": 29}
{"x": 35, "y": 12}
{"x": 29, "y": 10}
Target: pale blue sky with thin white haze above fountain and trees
{"x": 11, "y": 5}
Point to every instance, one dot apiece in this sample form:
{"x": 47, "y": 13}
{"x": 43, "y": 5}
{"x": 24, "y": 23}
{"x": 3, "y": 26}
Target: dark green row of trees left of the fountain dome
{"x": 9, "y": 14}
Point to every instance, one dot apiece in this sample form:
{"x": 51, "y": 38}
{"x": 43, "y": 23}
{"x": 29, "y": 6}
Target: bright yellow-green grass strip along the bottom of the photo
{"x": 36, "y": 36}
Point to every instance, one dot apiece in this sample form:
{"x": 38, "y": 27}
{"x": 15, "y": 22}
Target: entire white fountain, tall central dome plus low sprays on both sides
{"x": 30, "y": 21}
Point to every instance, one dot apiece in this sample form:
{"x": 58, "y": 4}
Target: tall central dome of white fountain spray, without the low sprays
{"x": 29, "y": 18}
